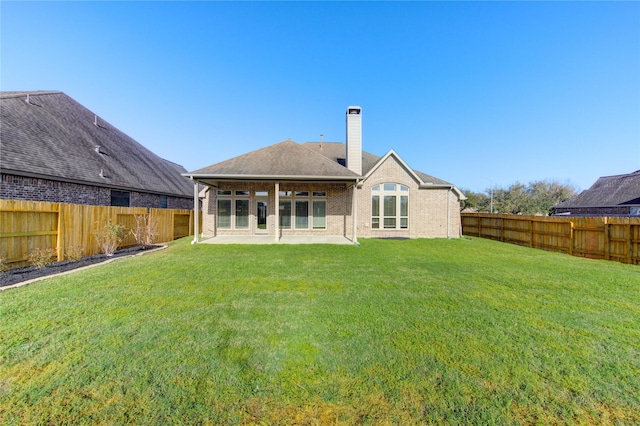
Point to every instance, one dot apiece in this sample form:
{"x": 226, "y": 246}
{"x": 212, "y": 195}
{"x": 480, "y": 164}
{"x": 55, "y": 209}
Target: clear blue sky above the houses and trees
{"x": 481, "y": 94}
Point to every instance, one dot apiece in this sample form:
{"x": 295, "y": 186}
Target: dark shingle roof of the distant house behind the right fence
{"x": 609, "y": 191}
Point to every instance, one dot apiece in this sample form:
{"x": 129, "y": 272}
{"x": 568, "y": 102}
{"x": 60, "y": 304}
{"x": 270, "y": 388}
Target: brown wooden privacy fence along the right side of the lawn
{"x": 610, "y": 238}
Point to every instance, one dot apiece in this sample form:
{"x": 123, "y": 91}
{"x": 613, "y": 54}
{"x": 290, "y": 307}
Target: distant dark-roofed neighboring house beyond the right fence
{"x": 610, "y": 196}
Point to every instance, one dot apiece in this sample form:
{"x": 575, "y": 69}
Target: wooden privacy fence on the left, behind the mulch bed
{"x": 27, "y": 225}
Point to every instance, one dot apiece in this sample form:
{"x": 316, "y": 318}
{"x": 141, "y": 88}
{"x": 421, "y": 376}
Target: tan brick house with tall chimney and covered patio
{"x": 326, "y": 189}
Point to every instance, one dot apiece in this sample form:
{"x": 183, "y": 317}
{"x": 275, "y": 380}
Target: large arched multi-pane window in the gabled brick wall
{"x": 390, "y": 206}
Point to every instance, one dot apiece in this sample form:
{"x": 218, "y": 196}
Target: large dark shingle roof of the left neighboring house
{"x": 54, "y": 137}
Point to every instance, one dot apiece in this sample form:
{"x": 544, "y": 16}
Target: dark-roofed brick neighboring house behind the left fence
{"x": 54, "y": 149}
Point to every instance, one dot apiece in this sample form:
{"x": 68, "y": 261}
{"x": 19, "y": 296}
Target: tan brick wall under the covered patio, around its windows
{"x": 338, "y": 208}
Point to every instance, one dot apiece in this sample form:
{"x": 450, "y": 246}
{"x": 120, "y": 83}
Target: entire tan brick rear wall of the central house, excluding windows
{"x": 433, "y": 213}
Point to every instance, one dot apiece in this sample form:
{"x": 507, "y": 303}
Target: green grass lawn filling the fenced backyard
{"x": 392, "y": 332}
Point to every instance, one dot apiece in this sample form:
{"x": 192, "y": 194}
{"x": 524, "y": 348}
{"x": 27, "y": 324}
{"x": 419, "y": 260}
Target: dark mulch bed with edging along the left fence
{"x": 18, "y": 275}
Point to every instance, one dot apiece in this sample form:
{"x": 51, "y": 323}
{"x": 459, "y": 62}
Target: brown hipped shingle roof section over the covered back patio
{"x": 286, "y": 159}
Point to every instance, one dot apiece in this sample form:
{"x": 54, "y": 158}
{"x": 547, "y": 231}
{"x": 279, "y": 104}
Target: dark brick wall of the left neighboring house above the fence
{"x": 14, "y": 187}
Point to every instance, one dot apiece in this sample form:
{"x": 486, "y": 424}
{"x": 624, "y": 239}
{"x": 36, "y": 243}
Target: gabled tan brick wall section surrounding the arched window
{"x": 427, "y": 207}
